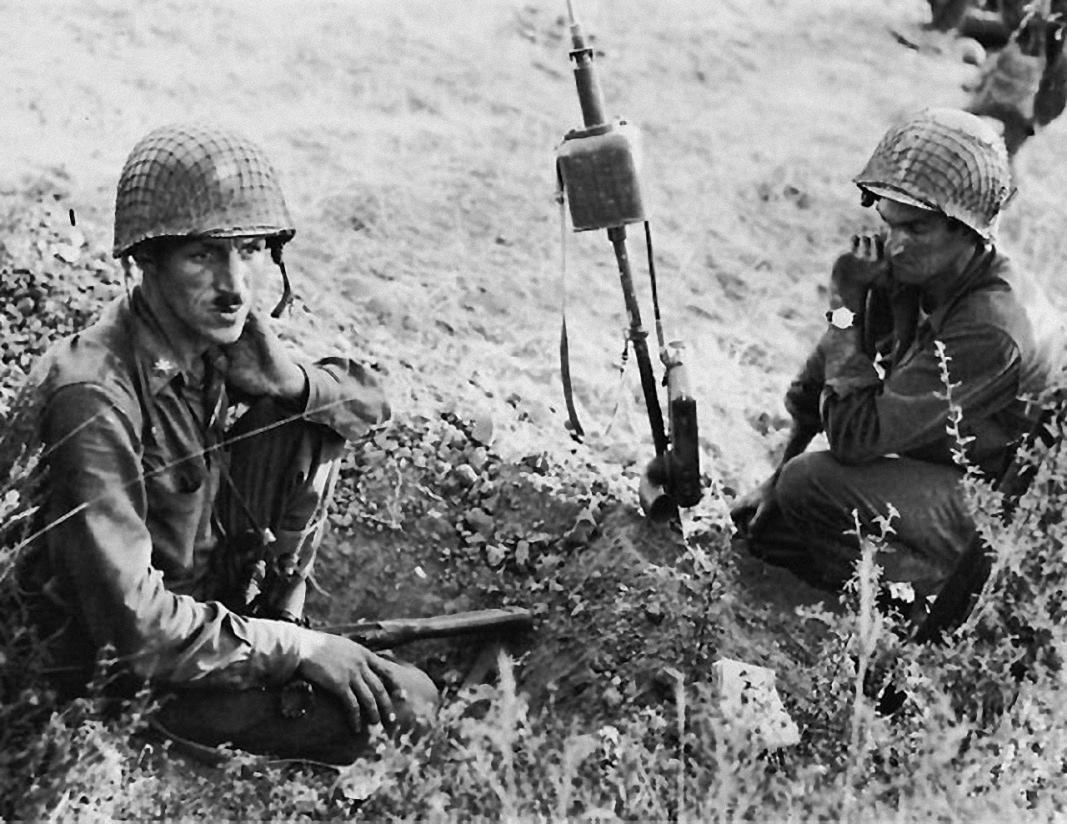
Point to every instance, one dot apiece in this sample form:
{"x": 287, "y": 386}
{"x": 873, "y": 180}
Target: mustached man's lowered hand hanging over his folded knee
{"x": 356, "y": 675}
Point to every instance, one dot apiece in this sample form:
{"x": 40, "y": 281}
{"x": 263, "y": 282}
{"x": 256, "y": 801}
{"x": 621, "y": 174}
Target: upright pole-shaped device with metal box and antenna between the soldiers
{"x": 598, "y": 171}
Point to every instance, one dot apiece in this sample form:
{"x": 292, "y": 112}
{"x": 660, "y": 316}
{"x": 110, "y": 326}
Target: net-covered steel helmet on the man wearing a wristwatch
{"x": 944, "y": 160}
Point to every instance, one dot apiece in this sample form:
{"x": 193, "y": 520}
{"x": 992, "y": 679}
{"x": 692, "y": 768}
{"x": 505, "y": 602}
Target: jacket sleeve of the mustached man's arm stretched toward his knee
{"x": 101, "y": 551}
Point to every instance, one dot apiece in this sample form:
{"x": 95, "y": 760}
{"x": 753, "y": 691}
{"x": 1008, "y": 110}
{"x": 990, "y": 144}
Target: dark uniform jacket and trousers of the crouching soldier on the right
{"x": 886, "y": 429}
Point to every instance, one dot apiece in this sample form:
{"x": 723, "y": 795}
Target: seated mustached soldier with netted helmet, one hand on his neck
{"x": 181, "y": 543}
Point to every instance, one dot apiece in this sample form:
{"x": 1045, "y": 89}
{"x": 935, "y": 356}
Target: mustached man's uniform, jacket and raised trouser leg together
{"x": 151, "y": 540}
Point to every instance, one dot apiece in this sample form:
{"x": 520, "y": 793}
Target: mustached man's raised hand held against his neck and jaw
{"x": 259, "y": 365}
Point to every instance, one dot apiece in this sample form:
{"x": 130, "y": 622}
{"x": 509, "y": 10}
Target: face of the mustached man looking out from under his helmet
{"x": 206, "y": 287}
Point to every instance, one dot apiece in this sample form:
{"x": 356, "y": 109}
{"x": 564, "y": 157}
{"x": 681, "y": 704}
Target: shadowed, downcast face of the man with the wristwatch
{"x": 922, "y": 245}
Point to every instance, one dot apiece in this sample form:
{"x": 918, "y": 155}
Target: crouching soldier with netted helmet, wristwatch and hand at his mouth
{"x": 930, "y": 290}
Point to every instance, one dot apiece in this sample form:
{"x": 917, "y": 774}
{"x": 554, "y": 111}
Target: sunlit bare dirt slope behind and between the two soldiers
{"x": 416, "y": 140}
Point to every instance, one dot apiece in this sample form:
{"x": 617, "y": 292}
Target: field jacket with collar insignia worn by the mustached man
{"x": 132, "y": 447}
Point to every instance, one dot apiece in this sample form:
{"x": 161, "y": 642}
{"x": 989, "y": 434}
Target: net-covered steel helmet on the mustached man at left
{"x": 196, "y": 180}
